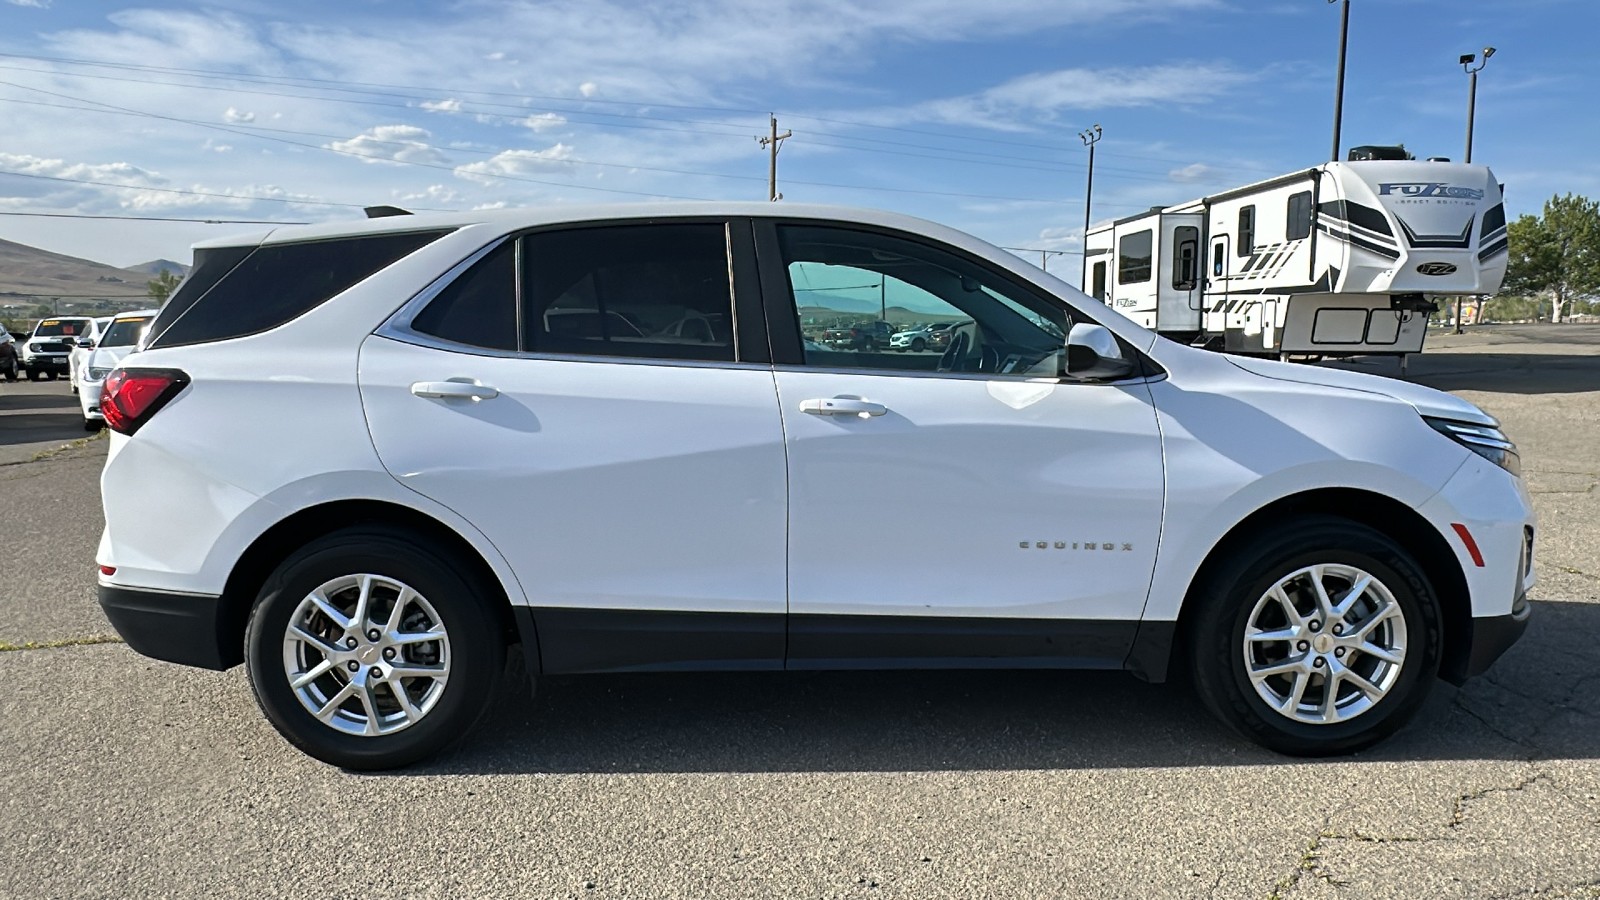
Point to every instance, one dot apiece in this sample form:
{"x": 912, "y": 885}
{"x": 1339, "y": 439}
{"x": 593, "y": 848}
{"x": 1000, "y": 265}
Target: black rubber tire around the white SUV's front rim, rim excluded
{"x": 1230, "y": 597}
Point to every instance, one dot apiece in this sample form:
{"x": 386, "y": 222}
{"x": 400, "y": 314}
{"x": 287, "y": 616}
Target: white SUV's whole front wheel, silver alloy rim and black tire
{"x": 1316, "y": 640}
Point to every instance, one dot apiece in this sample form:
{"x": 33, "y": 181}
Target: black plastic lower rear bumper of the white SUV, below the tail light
{"x": 180, "y": 629}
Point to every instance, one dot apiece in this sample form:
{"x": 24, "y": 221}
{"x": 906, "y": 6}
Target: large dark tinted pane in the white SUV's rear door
{"x": 654, "y": 291}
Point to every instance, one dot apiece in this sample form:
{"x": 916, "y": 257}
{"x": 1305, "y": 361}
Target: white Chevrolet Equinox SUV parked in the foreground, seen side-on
{"x": 369, "y": 459}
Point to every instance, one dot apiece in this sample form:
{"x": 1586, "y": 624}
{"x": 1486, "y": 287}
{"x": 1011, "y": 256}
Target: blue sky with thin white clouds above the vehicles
{"x": 959, "y": 111}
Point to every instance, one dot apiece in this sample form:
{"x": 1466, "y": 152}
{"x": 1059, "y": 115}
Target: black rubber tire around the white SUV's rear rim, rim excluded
{"x": 465, "y": 608}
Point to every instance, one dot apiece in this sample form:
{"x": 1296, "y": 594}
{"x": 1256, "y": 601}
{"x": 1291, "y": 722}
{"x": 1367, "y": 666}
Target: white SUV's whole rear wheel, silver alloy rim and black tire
{"x": 370, "y": 651}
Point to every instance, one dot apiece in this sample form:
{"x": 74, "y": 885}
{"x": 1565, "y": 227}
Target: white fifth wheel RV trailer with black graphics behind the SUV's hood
{"x": 1337, "y": 260}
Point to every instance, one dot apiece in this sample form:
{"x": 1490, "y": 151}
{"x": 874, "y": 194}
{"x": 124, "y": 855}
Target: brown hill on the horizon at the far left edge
{"x": 31, "y": 276}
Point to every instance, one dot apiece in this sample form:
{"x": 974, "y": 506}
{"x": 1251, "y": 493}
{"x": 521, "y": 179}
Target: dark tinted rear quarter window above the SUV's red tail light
{"x": 276, "y": 284}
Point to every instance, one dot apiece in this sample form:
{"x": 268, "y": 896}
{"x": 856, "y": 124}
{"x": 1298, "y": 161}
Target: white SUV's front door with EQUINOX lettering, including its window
{"x": 1041, "y": 539}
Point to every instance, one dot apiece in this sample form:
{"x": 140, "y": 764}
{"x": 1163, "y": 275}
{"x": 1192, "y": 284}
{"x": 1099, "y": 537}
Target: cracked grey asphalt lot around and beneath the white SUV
{"x": 121, "y": 776}
